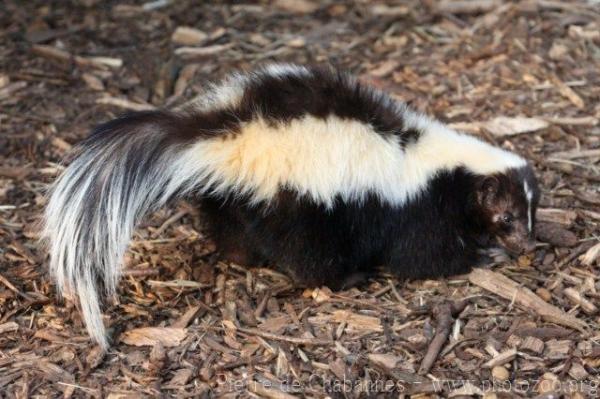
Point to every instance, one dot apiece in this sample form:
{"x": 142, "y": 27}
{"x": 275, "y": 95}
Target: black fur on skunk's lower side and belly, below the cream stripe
{"x": 433, "y": 235}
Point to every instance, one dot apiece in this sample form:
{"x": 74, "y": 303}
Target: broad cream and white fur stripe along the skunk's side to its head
{"x": 324, "y": 158}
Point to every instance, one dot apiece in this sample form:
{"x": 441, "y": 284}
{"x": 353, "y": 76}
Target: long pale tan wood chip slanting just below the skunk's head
{"x": 508, "y": 289}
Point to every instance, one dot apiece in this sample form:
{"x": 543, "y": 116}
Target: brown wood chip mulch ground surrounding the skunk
{"x": 524, "y": 75}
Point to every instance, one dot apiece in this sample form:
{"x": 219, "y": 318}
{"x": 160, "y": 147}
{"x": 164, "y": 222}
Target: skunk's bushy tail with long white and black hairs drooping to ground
{"x": 125, "y": 169}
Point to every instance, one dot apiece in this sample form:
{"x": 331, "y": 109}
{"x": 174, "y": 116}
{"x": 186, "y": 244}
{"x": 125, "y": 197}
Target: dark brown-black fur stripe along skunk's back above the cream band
{"x": 278, "y": 99}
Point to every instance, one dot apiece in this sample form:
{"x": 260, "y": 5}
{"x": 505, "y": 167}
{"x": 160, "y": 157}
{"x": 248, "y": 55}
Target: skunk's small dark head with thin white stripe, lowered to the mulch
{"x": 506, "y": 204}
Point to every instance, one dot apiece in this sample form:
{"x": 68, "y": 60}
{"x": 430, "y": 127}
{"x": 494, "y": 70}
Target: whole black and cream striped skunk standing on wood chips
{"x": 306, "y": 169}
